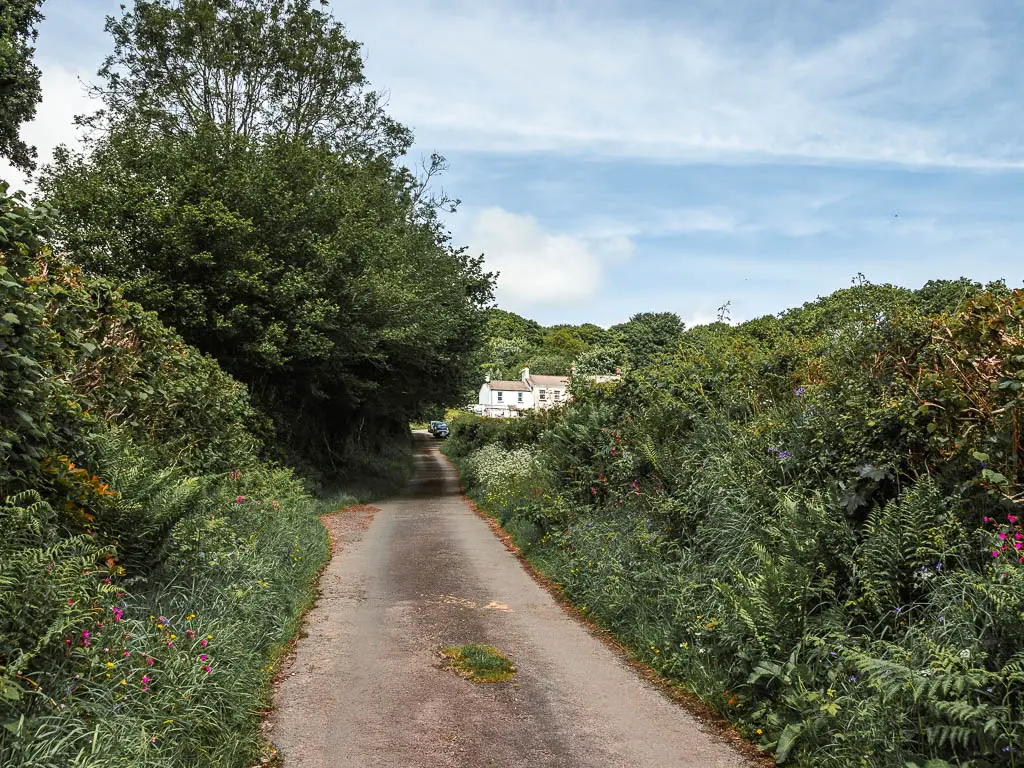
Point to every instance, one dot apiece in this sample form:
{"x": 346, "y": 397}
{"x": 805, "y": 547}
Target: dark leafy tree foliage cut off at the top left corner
{"x": 20, "y": 92}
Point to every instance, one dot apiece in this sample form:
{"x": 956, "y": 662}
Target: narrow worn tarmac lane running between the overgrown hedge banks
{"x": 367, "y": 687}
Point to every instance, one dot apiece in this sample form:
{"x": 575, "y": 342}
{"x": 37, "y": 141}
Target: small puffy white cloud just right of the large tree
{"x": 540, "y": 268}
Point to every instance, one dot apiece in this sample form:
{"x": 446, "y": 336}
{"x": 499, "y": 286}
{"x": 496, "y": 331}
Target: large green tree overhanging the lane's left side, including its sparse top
{"x": 243, "y": 182}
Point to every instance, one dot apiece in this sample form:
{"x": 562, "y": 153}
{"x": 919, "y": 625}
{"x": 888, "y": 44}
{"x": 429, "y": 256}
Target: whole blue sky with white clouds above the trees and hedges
{"x": 624, "y": 156}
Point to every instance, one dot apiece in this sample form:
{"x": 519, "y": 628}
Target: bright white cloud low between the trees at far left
{"x": 64, "y": 98}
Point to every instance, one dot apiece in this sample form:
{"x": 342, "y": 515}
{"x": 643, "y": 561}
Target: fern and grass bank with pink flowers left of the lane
{"x": 152, "y": 567}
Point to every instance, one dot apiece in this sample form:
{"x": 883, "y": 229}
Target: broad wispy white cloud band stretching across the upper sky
{"x": 495, "y": 77}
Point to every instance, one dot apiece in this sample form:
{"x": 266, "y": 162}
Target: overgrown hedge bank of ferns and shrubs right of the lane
{"x": 813, "y": 521}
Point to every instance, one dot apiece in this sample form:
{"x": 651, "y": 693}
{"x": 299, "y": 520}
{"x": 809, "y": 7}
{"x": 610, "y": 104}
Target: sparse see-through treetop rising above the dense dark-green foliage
{"x": 251, "y": 68}
